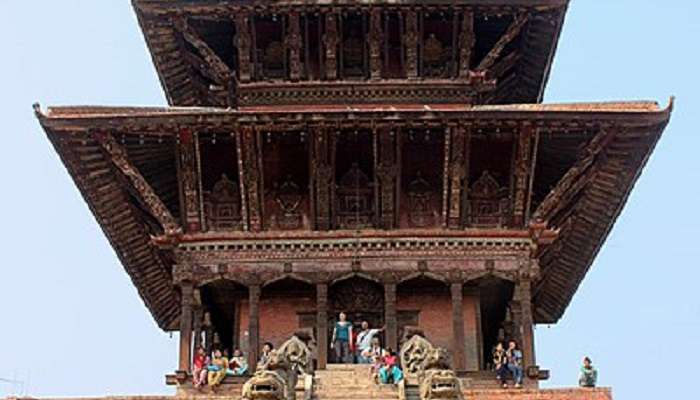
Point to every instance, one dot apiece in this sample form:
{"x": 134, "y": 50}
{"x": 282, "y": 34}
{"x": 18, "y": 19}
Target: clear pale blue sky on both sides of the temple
{"x": 72, "y": 323}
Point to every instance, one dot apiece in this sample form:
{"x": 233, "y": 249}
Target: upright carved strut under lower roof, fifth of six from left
{"x": 457, "y": 171}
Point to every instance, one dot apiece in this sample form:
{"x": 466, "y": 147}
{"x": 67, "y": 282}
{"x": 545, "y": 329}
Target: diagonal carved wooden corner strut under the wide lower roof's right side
{"x": 574, "y": 178}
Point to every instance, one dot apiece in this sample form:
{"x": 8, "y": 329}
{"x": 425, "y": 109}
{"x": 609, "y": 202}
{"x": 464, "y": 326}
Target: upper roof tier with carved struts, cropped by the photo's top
{"x": 231, "y": 53}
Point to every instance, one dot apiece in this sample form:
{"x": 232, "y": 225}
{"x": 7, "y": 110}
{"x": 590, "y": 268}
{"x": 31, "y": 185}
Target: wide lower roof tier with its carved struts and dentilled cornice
{"x": 428, "y": 181}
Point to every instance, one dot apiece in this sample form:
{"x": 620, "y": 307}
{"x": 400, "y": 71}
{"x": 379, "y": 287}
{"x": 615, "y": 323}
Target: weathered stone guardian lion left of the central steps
{"x": 276, "y": 379}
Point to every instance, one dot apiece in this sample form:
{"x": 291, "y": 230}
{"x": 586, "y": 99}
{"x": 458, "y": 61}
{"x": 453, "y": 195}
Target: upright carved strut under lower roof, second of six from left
{"x": 250, "y": 171}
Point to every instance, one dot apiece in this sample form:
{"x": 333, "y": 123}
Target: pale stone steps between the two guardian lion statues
{"x": 350, "y": 382}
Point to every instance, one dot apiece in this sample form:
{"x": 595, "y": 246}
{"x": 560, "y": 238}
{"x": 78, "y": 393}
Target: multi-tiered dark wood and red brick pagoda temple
{"x": 391, "y": 159}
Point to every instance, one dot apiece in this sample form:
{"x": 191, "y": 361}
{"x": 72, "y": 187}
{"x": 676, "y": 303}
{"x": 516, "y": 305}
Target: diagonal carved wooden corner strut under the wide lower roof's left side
{"x": 147, "y": 196}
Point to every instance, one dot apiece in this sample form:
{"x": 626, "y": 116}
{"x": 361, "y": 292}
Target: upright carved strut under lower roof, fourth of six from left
{"x": 387, "y": 168}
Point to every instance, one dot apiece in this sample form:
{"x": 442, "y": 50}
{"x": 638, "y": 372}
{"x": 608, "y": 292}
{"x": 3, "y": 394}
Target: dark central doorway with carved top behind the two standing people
{"x": 361, "y": 300}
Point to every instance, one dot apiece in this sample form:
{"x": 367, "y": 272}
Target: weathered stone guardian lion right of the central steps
{"x": 430, "y": 366}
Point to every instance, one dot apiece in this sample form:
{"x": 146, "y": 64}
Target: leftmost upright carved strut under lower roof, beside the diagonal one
{"x": 189, "y": 173}
